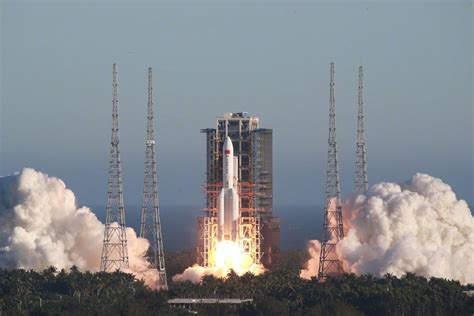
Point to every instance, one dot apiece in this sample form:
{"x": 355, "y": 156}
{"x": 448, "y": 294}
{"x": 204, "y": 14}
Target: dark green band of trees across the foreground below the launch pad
{"x": 280, "y": 292}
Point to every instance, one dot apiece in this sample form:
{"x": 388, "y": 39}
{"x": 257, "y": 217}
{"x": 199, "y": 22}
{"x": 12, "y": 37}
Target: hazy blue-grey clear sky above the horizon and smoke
{"x": 270, "y": 59}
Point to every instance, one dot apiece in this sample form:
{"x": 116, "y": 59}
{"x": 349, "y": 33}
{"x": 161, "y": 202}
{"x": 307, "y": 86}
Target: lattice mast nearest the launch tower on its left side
{"x": 150, "y": 217}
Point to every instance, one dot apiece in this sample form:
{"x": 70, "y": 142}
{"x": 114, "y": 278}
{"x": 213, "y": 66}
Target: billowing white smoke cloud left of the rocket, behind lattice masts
{"x": 40, "y": 226}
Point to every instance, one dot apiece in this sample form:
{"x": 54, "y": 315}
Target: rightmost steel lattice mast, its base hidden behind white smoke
{"x": 361, "y": 185}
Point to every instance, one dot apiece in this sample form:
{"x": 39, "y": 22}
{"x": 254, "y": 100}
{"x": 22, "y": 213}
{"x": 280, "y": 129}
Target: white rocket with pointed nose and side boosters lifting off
{"x": 228, "y": 212}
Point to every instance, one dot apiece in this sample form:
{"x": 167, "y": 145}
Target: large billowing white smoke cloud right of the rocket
{"x": 419, "y": 226}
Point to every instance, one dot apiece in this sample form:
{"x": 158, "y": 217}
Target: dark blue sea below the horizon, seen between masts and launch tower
{"x": 298, "y": 224}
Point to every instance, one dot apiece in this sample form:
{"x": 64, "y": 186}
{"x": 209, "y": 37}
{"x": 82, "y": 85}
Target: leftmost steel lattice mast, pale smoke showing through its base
{"x": 114, "y": 251}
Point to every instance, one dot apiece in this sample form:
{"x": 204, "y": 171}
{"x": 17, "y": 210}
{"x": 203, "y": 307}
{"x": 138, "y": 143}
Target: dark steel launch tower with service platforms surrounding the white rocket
{"x": 259, "y": 230}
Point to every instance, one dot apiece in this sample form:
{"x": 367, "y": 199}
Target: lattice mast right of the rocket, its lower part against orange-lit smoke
{"x": 329, "y": 264}
